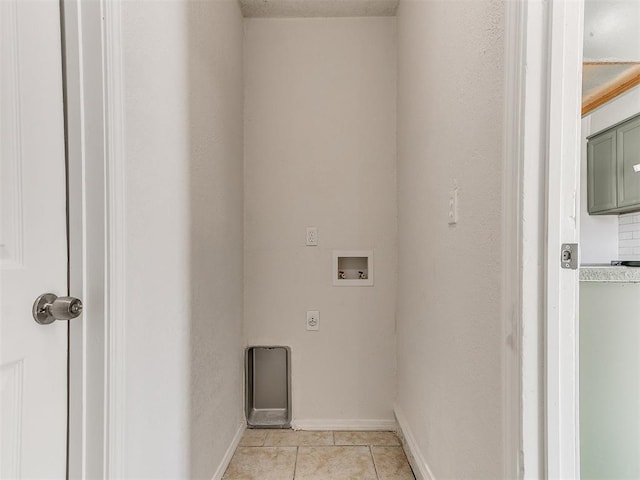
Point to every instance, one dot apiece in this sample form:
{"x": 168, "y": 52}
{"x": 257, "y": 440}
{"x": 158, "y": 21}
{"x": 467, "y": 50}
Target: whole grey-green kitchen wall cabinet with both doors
{"x": 612, "y": 159}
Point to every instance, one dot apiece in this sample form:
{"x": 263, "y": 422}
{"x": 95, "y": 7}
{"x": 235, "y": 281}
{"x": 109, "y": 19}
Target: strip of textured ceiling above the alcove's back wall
{"x": 318, "y": 8}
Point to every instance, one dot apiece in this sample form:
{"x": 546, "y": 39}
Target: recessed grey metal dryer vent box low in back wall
{"x": 268, "y": 387}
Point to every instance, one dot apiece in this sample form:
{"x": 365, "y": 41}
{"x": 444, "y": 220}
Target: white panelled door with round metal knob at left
{"x": 33, "y": 250}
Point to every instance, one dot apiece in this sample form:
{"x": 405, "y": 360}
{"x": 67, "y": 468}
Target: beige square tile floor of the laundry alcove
{"x": 305, "y": 455}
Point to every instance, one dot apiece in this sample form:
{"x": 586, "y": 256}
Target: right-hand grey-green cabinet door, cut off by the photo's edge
{"x": 628, "y": 158}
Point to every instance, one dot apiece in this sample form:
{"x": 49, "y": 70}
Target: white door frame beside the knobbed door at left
{"x": 95, "y": 109}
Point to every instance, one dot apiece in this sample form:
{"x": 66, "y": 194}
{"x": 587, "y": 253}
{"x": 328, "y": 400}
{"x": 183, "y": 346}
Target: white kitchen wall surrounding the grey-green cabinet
{"x": 599, "y": 234}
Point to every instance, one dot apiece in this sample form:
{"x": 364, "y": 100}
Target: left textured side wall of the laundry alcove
{"x": 184, "y": 204}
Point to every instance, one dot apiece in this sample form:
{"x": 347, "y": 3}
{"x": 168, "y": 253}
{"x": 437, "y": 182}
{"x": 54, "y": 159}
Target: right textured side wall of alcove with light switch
{"x": 450, "y": 124}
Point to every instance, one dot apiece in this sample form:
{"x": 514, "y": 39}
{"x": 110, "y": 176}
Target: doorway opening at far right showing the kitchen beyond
{"x": 608, "y": 335}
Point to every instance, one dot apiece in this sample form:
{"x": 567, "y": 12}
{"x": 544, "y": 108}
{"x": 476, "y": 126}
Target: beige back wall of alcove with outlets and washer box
{"x": 320, "y": 110}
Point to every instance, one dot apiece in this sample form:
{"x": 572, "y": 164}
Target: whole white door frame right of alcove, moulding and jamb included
{"x": 544, "y": 54}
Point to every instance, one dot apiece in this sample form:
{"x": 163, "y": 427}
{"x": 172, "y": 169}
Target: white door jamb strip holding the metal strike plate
{"x": 562, "y": 437}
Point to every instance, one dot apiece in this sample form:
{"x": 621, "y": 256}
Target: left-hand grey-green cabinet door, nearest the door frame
{"x": 601, "y": 172}
